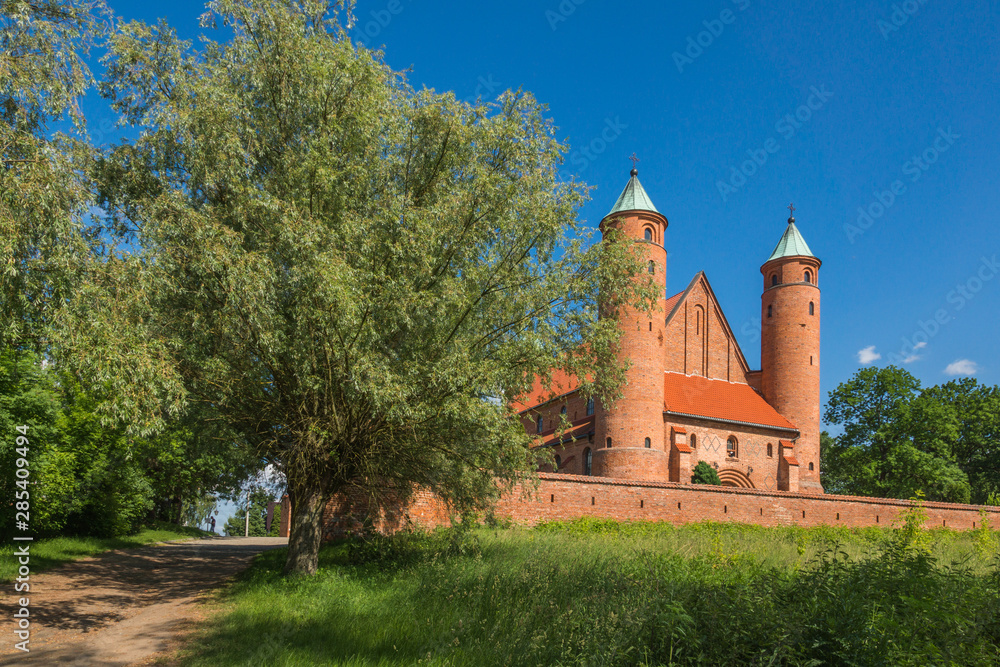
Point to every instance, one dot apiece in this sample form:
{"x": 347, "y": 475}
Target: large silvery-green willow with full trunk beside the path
{"x": 357, "y": 274}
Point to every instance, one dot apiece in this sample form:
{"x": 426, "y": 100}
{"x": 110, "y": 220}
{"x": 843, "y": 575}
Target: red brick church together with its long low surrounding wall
{"x": 689, "y": 396}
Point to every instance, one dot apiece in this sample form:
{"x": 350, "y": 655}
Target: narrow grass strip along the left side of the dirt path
{"x": 50, "y": 552}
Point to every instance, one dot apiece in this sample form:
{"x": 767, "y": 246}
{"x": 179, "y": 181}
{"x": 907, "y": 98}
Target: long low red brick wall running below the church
{"x": 565, "y": 497}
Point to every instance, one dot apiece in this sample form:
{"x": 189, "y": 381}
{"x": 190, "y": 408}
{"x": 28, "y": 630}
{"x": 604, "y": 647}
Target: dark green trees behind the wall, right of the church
{"x": 943, "y": 441}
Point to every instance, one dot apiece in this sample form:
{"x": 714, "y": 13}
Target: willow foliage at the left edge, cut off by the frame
{"x": 44, "y": 197}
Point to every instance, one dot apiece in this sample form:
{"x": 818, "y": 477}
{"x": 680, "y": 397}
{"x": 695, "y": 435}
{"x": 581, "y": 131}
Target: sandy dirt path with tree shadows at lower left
{"x": 124, "y": 607}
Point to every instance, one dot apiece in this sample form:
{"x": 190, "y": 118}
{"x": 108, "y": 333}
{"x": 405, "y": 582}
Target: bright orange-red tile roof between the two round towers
{"x": 718, "y": 399}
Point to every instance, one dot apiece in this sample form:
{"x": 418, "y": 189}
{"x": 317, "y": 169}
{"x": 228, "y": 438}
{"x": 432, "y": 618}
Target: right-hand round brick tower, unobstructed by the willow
{"x": 789, "y": 347}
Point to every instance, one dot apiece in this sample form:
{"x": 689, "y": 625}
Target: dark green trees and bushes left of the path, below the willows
{"x": 87, "y": 478}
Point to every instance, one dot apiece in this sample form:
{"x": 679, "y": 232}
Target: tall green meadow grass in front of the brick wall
{"x": 594, "y": 592}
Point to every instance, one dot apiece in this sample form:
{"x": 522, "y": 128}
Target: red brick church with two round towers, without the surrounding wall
{"x": 690, "y": 395}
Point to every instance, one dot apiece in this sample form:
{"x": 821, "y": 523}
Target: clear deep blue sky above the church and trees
{"x": 738, "y": 107}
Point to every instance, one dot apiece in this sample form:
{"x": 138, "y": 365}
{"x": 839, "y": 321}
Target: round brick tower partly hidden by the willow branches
{"x": 628, "y": 442}
